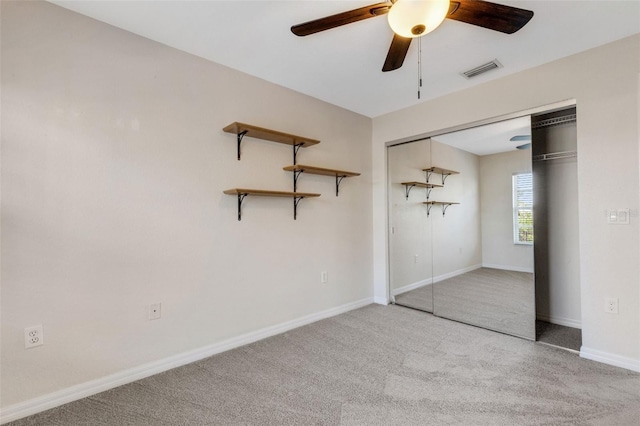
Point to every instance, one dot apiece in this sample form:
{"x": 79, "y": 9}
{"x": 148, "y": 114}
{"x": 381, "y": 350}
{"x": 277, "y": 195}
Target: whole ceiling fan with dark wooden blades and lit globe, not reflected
{"x": 412, "y": 18}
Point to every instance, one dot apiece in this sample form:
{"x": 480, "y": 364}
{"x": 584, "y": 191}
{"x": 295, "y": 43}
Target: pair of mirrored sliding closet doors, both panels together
{"x": 464, "y": 199}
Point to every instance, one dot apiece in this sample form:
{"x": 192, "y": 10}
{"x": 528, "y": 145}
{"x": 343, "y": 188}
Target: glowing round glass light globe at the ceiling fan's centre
{"x": 415, "y": 18}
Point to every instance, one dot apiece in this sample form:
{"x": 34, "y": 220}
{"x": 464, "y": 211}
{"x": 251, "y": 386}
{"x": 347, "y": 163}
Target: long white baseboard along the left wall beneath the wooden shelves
{"x": 83, "y": 390}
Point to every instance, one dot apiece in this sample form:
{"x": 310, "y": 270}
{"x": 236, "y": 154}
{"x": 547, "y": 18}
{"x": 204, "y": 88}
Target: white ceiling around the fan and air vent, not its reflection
{"x": 342, "y": 66}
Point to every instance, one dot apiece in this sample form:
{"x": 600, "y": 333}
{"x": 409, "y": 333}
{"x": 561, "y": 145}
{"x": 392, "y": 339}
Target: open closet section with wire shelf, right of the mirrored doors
{"x": 556, "y": 247}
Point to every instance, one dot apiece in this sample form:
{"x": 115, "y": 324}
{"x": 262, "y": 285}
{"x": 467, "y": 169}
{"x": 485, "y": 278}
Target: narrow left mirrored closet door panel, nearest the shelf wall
{"x": 410, "y": 263}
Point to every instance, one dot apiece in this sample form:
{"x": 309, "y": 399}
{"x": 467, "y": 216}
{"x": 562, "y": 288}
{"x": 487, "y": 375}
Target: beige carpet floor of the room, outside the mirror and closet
{"x": 379, "y": 365}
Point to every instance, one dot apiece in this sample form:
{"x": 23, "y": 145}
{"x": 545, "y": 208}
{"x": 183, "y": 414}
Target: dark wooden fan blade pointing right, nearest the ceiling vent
{"x": 497, "y": 17}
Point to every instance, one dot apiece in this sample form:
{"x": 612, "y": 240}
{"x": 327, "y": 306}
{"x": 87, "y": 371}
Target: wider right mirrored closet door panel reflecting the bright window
{"x": 483, "y": 247}
